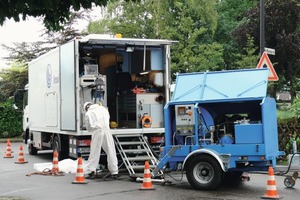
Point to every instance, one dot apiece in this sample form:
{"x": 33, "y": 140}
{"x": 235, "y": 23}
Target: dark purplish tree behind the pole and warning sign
{"x": 282, "y": 34}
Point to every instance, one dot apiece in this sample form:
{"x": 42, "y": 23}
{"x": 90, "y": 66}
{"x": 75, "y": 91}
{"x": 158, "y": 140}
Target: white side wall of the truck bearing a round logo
{"x": 44, "y": 93}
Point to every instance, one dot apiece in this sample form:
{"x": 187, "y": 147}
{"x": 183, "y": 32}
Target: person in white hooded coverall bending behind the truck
{"x": 97, "y": 123}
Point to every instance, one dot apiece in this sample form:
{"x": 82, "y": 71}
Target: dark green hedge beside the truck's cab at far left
{"x": 10, "y": 120}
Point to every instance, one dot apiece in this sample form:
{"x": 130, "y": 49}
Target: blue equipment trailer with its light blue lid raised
{"x": 220, "y": 124}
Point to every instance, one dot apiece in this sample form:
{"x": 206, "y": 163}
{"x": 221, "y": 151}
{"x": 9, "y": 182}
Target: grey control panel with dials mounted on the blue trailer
{"x": 184, "y": 118}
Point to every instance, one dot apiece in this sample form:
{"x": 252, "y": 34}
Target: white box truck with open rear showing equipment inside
{"x": 131, "y": 77}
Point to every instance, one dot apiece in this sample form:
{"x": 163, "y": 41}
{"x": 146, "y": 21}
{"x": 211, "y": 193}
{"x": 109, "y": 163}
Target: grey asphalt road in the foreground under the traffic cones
{"x": 15, "y": 185}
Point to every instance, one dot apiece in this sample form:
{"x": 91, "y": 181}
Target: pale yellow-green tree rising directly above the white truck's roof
{"x": 131, "y": 19}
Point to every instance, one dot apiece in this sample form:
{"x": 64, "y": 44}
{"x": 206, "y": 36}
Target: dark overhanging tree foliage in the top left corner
{"x": 55, "y": 12}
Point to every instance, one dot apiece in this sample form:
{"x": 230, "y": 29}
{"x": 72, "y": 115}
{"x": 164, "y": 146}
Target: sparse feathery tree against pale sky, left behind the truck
{"x": 22, "y": 53}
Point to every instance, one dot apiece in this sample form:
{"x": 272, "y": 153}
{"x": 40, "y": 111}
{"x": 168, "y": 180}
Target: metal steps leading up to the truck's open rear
{"x": 134, "y": 151}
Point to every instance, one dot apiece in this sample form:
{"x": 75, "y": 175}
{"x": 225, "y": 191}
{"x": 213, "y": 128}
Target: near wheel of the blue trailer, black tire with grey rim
{"x": 204, "y": 172}
